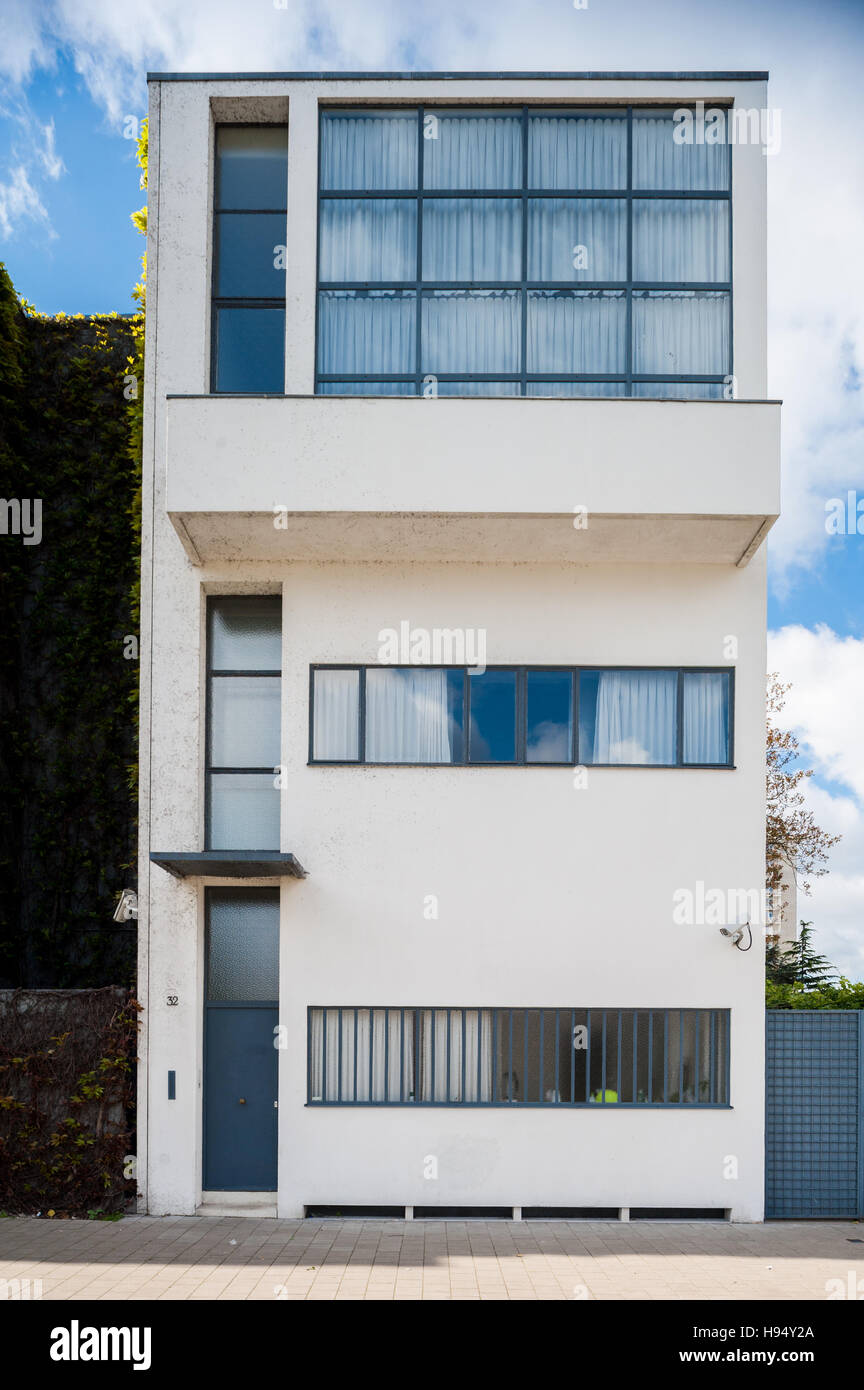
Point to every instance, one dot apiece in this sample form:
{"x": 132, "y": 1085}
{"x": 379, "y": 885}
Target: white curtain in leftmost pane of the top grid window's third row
{"x": 367, "y": 333}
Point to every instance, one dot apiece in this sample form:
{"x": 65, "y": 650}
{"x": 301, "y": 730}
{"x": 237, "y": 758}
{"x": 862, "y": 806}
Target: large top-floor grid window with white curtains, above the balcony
{"x": 522, "y": 252}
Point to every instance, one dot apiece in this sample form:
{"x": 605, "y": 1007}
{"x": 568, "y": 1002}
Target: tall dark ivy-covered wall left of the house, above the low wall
{"x": 70, "y": 459}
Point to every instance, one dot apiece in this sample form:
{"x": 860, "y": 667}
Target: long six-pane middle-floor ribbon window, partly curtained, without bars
{"x": 519, "y": 715}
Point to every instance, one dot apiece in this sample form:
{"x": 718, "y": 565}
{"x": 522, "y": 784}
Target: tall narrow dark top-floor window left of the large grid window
{"x": 249, "y": 233}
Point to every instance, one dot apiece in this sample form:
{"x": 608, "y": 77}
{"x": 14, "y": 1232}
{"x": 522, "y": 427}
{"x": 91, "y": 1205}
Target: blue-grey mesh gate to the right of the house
{"x": 815, "y": 1114}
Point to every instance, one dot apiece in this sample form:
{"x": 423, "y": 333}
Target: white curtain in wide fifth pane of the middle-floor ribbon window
{"x": 635, "y": 721}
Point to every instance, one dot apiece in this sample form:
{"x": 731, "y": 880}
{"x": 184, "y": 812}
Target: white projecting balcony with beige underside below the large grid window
{"x": 472, "y": 479}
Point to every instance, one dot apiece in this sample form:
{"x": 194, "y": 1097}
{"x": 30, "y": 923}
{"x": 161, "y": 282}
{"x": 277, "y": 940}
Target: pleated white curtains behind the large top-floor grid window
{"x": 367, "y": 241}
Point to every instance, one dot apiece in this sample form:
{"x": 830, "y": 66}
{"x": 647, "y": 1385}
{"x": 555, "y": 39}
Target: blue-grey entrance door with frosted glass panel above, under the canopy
{"x": 241, "y": 1058}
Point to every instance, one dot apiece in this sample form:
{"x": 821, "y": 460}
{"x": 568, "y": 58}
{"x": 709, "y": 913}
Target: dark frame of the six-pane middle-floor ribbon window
{"x": 522, "y": 710}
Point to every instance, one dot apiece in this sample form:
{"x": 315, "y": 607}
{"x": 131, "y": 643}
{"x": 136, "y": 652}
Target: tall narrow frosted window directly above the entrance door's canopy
{"x": 244, "y": 696}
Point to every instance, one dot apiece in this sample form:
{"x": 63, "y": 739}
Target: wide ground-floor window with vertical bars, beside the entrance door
{"x": 519, "y": 1057}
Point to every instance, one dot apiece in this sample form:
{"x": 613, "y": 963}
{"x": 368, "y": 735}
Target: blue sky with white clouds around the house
{"x": 73, "y": 72}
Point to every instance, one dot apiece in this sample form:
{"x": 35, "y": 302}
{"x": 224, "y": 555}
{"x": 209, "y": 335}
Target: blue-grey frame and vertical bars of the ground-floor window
{"x": 720, "y": 1057}
